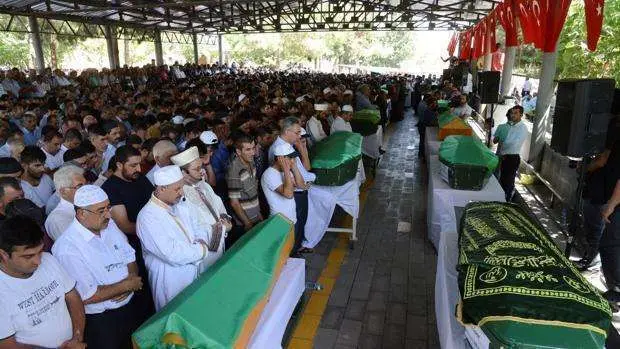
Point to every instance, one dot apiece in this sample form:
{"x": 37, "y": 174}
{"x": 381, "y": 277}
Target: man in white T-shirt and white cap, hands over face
{"x": 279, "y": 182}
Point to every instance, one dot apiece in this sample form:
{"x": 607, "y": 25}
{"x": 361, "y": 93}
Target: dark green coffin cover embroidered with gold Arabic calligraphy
{"x": 519, "y": 288}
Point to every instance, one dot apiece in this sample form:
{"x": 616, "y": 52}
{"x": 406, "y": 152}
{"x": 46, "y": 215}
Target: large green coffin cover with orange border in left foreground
{"x": 222, "y": 307}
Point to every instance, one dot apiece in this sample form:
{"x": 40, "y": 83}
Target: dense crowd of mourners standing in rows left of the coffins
{"x": 118, "y": 188}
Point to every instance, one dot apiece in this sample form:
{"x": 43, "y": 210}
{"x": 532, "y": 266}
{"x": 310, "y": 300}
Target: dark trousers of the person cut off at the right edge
{"x": 610, "y": 251}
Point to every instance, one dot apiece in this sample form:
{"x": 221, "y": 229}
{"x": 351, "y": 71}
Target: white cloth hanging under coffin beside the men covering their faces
{"x": 322, "y": 201}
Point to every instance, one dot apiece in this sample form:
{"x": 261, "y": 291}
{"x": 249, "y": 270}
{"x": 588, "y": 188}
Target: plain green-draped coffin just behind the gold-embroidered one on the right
{"x": 469, "y": 162}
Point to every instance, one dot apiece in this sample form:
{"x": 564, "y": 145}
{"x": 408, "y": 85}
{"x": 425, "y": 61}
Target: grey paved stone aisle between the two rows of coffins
{"x": 384, "y": 295}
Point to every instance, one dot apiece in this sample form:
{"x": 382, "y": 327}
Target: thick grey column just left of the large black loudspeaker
{"x": 541, "y": 118}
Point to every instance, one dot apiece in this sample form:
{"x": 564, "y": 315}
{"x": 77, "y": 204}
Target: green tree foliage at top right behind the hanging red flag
{"x": 574, "y": 59}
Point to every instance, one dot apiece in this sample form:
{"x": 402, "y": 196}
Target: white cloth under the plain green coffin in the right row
{"x": 442, "y": 199}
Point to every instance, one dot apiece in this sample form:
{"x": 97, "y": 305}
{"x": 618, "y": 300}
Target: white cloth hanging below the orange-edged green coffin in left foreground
{"x": 284, "y": 297}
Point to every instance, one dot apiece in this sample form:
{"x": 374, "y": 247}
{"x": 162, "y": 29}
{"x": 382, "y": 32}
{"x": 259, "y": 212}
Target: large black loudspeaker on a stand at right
{"x": 581, "y": 117}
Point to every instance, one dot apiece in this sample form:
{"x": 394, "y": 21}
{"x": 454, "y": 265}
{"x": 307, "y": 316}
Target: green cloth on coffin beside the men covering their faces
{"x": 335, "y": 159}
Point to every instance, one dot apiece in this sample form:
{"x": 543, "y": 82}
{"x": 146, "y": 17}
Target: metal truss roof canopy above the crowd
{"x": 223, "y": 16}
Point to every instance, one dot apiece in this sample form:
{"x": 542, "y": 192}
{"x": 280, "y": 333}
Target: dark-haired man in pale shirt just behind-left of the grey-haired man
{"x": 38, "y": 187}
